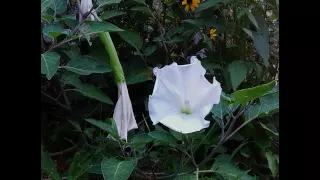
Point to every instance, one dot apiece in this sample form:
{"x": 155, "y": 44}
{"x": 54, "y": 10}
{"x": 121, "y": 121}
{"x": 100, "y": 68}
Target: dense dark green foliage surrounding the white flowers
{"x": 237, "y": 41}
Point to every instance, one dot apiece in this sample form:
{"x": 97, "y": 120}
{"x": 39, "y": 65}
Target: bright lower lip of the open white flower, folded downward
{"x": 185, "y": 123}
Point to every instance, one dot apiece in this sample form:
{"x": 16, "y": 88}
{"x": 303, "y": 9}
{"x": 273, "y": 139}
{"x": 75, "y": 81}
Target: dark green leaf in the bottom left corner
{"x": 48, "y": 167}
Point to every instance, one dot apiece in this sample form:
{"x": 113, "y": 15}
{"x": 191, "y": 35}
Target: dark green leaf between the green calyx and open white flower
{"x": 138, "y": 76}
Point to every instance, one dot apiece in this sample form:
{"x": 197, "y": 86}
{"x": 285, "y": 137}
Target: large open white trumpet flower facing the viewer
{"x": 182, "y": 97}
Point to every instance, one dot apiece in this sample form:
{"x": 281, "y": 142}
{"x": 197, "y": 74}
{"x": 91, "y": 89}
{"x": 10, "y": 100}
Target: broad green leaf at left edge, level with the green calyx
{"x": 49, "y": 63}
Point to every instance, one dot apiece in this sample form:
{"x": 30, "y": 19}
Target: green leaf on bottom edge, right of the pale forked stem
{"x": 227, "y": 169}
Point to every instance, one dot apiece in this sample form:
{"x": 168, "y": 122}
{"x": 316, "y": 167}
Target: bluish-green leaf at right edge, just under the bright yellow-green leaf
{"x": 268, "y": 103}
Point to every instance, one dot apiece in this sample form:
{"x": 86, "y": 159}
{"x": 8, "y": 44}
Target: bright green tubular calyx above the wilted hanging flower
{"x": 114, "y": 59}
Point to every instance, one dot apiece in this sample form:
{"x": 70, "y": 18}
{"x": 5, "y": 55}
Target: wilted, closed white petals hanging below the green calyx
{"x": 123, "y": 113}
